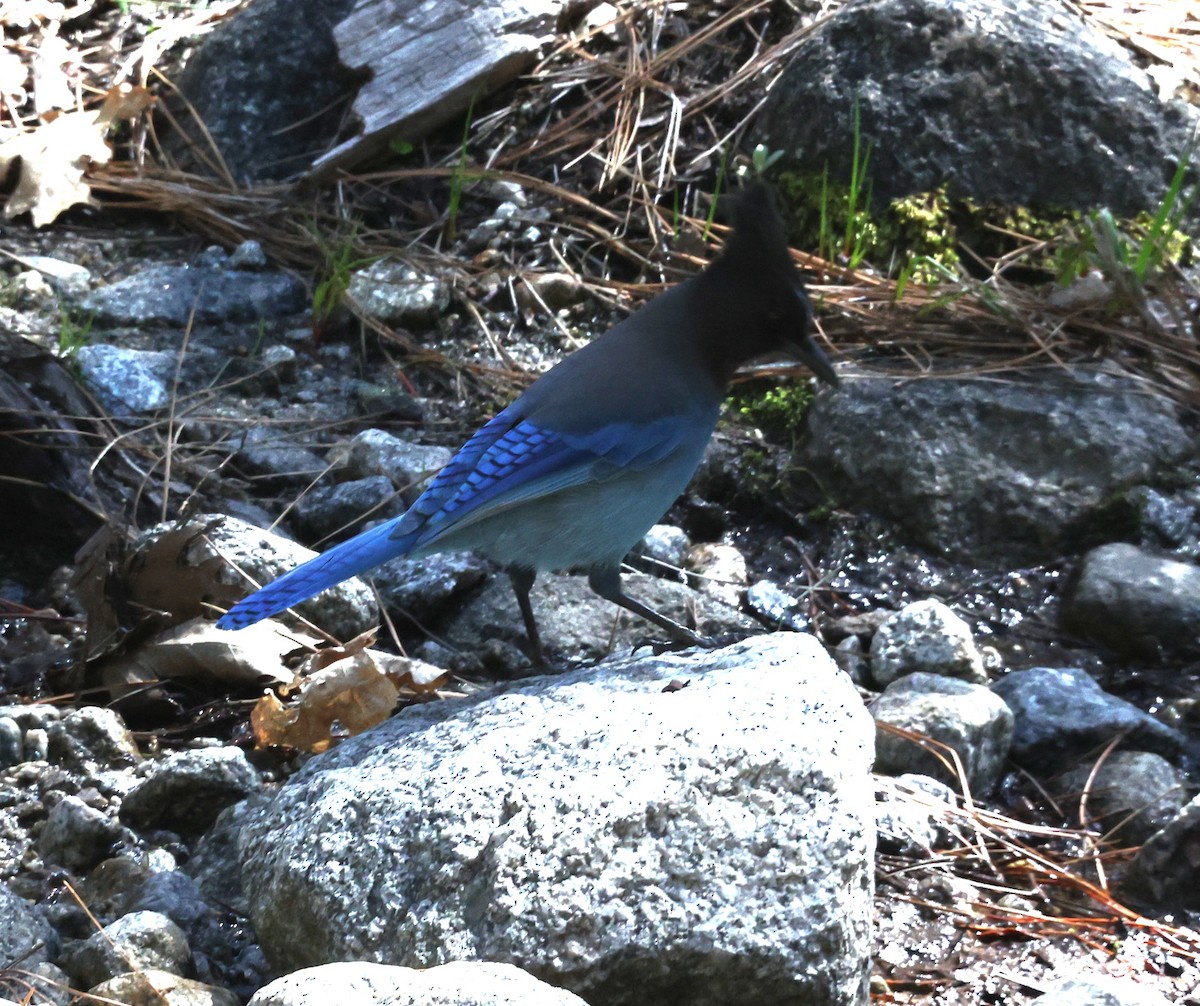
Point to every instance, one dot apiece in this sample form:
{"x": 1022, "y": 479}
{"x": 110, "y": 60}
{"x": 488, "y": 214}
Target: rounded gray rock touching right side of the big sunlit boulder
{"x": 969, "y": 718}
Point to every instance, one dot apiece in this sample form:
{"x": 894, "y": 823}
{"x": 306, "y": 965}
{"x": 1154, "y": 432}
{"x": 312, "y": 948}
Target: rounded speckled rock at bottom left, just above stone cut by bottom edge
{"x": 134, "y": 943}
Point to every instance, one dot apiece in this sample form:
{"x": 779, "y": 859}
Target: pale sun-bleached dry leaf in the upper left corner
{"x": 56, "y": 157}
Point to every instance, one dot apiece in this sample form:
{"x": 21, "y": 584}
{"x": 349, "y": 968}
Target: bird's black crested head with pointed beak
{"x": 757, "y": 294}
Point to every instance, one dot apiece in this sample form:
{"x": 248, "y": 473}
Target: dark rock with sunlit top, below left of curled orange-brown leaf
{"x": 187, "y": 791}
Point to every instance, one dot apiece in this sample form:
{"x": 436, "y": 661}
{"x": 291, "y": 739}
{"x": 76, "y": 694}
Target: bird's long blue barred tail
{"x": 328, "y": 570}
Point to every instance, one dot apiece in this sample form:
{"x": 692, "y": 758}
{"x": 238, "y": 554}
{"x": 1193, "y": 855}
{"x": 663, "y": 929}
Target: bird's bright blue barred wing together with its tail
{"x": 506, "y": 463}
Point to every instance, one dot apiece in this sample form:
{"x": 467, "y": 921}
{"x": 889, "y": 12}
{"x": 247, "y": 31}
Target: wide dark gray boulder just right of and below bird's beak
{"x": 983, "y": 470}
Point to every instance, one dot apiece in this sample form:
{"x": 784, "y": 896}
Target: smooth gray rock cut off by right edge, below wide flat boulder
{"x": 1136, "y": 602}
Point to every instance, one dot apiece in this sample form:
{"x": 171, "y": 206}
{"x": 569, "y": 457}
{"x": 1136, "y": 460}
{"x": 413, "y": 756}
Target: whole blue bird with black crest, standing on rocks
{"x": 575, "y": 472}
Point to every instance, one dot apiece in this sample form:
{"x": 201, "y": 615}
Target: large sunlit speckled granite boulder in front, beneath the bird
{"x": 645, "y": 831}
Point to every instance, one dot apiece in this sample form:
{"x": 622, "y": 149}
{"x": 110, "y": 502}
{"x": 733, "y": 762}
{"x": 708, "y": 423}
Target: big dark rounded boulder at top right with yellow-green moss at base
{"x": 980, "y": 97}
